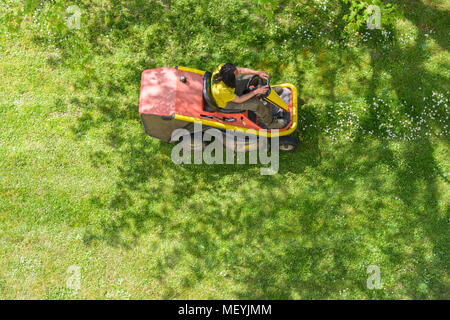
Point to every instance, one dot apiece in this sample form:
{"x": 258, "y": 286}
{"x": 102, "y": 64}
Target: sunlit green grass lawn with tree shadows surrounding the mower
{"x": 82, "y": 185}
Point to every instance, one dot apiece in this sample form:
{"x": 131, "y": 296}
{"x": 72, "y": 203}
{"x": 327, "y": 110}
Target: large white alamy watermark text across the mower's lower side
{"x": 207, "y": 146}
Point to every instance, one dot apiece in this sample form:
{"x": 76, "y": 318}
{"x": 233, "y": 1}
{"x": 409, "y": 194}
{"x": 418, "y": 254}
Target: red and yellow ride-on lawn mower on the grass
{"x": 173, "y": 98}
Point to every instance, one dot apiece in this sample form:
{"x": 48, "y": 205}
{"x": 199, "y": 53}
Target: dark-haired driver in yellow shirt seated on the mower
{"x": 228, "y": 85}
